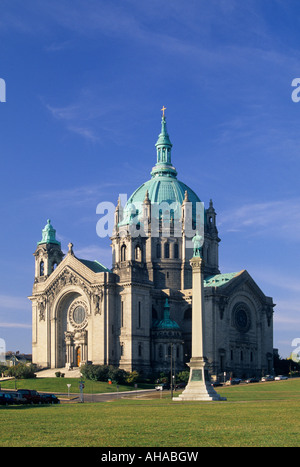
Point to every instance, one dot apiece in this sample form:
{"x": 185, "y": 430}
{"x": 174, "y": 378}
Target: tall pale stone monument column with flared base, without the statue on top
{"x": 199, "y": 387}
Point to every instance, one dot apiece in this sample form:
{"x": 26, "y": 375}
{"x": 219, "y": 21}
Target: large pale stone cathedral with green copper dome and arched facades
{"x": 137, "y": 315}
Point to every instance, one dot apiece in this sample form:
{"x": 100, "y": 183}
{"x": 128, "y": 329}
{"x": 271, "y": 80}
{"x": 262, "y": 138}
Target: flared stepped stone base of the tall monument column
{"x": 199, "y": 387}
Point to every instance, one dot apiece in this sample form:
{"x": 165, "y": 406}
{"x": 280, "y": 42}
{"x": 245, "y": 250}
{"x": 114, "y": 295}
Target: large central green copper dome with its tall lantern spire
{"x": 163, "y": 185}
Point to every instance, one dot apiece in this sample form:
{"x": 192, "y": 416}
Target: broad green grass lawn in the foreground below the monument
{"x": 263, "y": 414}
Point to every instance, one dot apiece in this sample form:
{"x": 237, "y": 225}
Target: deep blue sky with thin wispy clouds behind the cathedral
{"x": 85, "y": 82}
